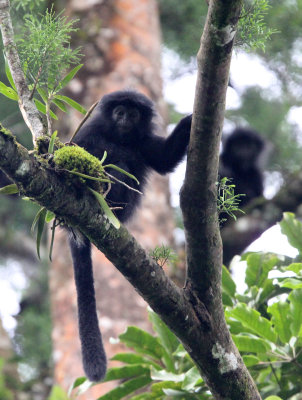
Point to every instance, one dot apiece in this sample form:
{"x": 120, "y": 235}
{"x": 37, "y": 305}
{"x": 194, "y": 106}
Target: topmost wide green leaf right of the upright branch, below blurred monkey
{"x": 258, "y": 267}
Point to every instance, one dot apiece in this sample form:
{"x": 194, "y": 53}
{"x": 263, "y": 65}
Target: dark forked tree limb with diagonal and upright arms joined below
{"x": 194, "y": 314}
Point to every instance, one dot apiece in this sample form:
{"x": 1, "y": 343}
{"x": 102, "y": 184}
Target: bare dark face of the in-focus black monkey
{"x": 126, "y": 119}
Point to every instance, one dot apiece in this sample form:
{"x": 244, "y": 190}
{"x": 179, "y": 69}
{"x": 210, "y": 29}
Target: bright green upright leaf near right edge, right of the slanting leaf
{"x": 280, "y": 318}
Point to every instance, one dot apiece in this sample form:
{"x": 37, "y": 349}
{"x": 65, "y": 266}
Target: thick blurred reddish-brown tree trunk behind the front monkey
{"x": 121, "y": 50}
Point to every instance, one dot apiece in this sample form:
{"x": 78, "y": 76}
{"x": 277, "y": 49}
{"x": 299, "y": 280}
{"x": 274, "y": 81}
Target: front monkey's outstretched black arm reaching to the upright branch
{"x": 162, "y": 154}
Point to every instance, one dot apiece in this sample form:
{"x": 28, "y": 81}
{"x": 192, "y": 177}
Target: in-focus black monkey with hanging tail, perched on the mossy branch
{"x": 122, "y": 124}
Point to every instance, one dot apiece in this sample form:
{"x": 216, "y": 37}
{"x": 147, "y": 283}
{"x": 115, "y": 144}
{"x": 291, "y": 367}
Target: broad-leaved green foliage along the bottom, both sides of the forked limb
{"x": 265, "y": 322}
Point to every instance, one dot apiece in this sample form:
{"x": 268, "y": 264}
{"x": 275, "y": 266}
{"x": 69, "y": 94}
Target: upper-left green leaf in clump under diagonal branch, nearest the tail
{"x": 142, "y": 342}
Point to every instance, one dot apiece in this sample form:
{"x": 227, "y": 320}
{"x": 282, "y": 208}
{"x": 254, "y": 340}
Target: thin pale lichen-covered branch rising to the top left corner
{"x": 29, "y": 111}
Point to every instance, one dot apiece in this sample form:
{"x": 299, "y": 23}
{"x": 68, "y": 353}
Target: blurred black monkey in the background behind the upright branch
{"x": 239, "y": 160}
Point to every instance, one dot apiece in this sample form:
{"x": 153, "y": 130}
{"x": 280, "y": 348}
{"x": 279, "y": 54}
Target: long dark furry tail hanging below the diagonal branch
{"x": 93, "y": 353}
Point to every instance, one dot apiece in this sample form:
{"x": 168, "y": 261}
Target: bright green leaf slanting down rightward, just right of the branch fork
{"x": 252, "y": 319}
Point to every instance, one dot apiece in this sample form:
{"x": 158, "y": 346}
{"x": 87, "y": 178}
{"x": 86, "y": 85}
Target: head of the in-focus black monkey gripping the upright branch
{"x": 129, "y": 115}
